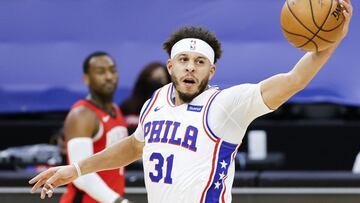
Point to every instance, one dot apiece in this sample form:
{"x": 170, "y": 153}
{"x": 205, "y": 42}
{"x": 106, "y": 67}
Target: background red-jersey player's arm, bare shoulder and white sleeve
{"x": 81, "y": 125}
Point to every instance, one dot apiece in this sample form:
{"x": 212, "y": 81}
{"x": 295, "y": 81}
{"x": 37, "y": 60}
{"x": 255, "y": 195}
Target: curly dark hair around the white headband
{"x": 194, "y": 32}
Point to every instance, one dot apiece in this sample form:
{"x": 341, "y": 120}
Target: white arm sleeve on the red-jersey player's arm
{"x": 80, "y": 148}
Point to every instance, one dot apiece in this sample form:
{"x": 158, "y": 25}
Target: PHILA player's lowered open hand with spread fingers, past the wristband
{"x": 53, "y": 178}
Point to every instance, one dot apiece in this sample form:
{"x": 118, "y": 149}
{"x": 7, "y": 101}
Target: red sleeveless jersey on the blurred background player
{"x": 110, "y": 131}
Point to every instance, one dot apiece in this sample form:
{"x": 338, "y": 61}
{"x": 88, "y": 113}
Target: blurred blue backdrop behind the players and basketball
{"x": 43, "y": 44}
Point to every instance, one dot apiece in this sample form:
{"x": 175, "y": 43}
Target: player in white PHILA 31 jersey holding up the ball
{"x": 189, "y": 132}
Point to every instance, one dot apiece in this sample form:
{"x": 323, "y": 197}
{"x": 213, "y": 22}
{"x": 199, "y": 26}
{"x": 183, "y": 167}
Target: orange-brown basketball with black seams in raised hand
{"x": 312, "y": 25}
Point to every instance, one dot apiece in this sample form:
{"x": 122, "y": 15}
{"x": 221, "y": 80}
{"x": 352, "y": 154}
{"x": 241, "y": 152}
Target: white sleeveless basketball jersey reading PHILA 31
{"x": 183, "y": 160}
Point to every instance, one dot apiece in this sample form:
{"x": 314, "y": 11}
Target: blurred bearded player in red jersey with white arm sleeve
{"x": 92, "y": 125}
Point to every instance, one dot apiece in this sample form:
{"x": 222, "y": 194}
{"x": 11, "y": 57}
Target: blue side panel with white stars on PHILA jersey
{"x": 222, "y": 168}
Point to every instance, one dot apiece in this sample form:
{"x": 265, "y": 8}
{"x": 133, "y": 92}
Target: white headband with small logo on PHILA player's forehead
{"x": 193, "y": 45}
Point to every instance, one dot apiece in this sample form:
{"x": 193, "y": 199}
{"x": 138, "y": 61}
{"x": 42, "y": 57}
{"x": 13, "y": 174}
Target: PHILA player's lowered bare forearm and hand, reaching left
{"x": 119, "y": 154}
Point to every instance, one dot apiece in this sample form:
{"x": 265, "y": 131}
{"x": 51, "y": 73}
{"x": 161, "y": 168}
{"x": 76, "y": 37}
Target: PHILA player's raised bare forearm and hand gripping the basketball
{"x": 277, "y": 89}
